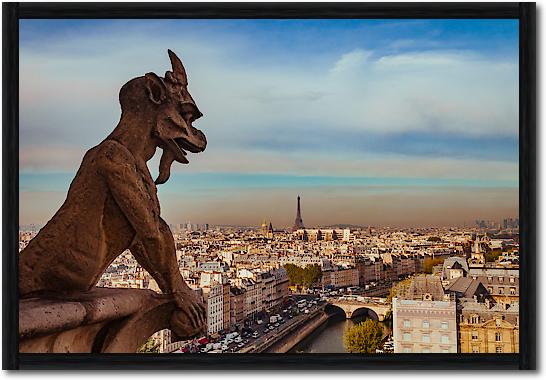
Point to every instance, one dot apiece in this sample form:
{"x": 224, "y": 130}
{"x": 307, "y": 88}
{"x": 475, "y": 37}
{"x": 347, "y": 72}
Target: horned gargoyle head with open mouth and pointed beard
{"x": 169, "y": 107}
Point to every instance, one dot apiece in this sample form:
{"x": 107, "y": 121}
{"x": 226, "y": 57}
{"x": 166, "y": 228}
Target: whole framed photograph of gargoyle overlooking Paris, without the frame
{"x": 352, "y": 186}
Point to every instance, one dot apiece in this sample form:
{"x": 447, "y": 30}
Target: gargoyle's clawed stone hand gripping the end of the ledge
{"x": 190, "y": 318}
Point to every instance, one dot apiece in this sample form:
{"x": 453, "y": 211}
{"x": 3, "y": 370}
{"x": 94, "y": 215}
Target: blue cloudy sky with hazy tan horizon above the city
{"x": 382, "y": 122}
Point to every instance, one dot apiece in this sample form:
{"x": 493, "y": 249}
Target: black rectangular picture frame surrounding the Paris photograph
{"x": 524, "y": 12}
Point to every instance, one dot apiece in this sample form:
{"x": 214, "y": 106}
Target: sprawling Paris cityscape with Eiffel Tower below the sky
{"x": 442, "y": 290}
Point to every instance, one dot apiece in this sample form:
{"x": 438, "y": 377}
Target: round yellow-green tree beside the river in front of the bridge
{"x": 364, "y": 338}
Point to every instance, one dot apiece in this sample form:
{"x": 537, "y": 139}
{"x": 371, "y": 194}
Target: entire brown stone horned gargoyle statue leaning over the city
{"x": 112, "y": 202}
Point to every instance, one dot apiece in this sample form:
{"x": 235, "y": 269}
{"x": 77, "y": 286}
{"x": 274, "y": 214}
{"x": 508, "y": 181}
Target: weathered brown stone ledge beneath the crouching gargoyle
{"x": 100, "y": 320}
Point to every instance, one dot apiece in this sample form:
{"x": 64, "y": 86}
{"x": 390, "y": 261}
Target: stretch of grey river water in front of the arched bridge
{"x": 329, "y": 337}
